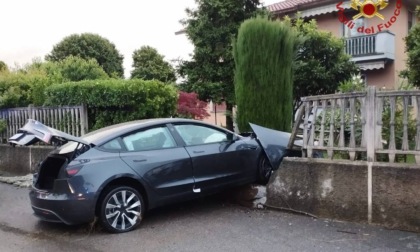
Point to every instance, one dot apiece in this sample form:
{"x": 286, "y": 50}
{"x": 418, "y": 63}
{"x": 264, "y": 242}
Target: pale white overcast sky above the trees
{"x": 30, "y": 28}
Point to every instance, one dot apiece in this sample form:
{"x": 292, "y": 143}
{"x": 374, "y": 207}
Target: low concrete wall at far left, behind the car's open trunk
{"x": 21, "y": 160}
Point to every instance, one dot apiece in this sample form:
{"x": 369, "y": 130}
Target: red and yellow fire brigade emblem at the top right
{"x": 368, "y": 8}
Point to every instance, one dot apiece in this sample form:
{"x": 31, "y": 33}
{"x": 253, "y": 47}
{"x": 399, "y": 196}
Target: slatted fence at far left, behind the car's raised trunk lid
{"x": 70, "y": 119}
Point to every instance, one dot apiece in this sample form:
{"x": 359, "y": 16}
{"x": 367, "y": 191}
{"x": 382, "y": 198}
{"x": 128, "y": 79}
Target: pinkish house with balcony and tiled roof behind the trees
{"x": 373, "y": 31}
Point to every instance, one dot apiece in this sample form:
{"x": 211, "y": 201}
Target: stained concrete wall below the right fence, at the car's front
{"x": 339, "y": 190}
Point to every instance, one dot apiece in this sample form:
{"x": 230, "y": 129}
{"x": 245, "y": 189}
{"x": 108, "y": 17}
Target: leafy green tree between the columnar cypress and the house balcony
{"x": 320, "y": 64}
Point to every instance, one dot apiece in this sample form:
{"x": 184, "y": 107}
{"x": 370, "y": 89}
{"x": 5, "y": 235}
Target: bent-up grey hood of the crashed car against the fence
{"x": 273, "y": 142}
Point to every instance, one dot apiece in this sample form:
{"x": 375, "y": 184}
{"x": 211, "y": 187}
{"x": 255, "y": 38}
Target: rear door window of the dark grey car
{"x": 150, "y": 139}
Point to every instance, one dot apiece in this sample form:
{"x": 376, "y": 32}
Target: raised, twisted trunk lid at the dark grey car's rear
{"x": 34, "y": 131}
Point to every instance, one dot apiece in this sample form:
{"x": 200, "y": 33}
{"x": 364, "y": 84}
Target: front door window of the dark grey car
{"x": 197, "y": 134}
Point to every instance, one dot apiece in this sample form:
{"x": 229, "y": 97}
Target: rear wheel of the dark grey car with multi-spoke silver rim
{"x": 122, "y": 209}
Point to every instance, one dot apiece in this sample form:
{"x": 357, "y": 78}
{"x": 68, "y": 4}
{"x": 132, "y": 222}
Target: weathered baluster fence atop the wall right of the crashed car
{"x": 372, "y": 125}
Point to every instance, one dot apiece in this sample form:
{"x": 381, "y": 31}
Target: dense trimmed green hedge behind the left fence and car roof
{"x": 116, "y": 100}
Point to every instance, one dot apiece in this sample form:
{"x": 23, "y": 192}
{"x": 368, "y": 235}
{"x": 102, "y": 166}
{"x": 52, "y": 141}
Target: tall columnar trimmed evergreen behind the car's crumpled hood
{"x": 264, "y": 53}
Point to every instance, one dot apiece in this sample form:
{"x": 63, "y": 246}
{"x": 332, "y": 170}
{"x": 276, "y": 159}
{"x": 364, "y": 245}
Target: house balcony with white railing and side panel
{"x": 375, "y": 47}
